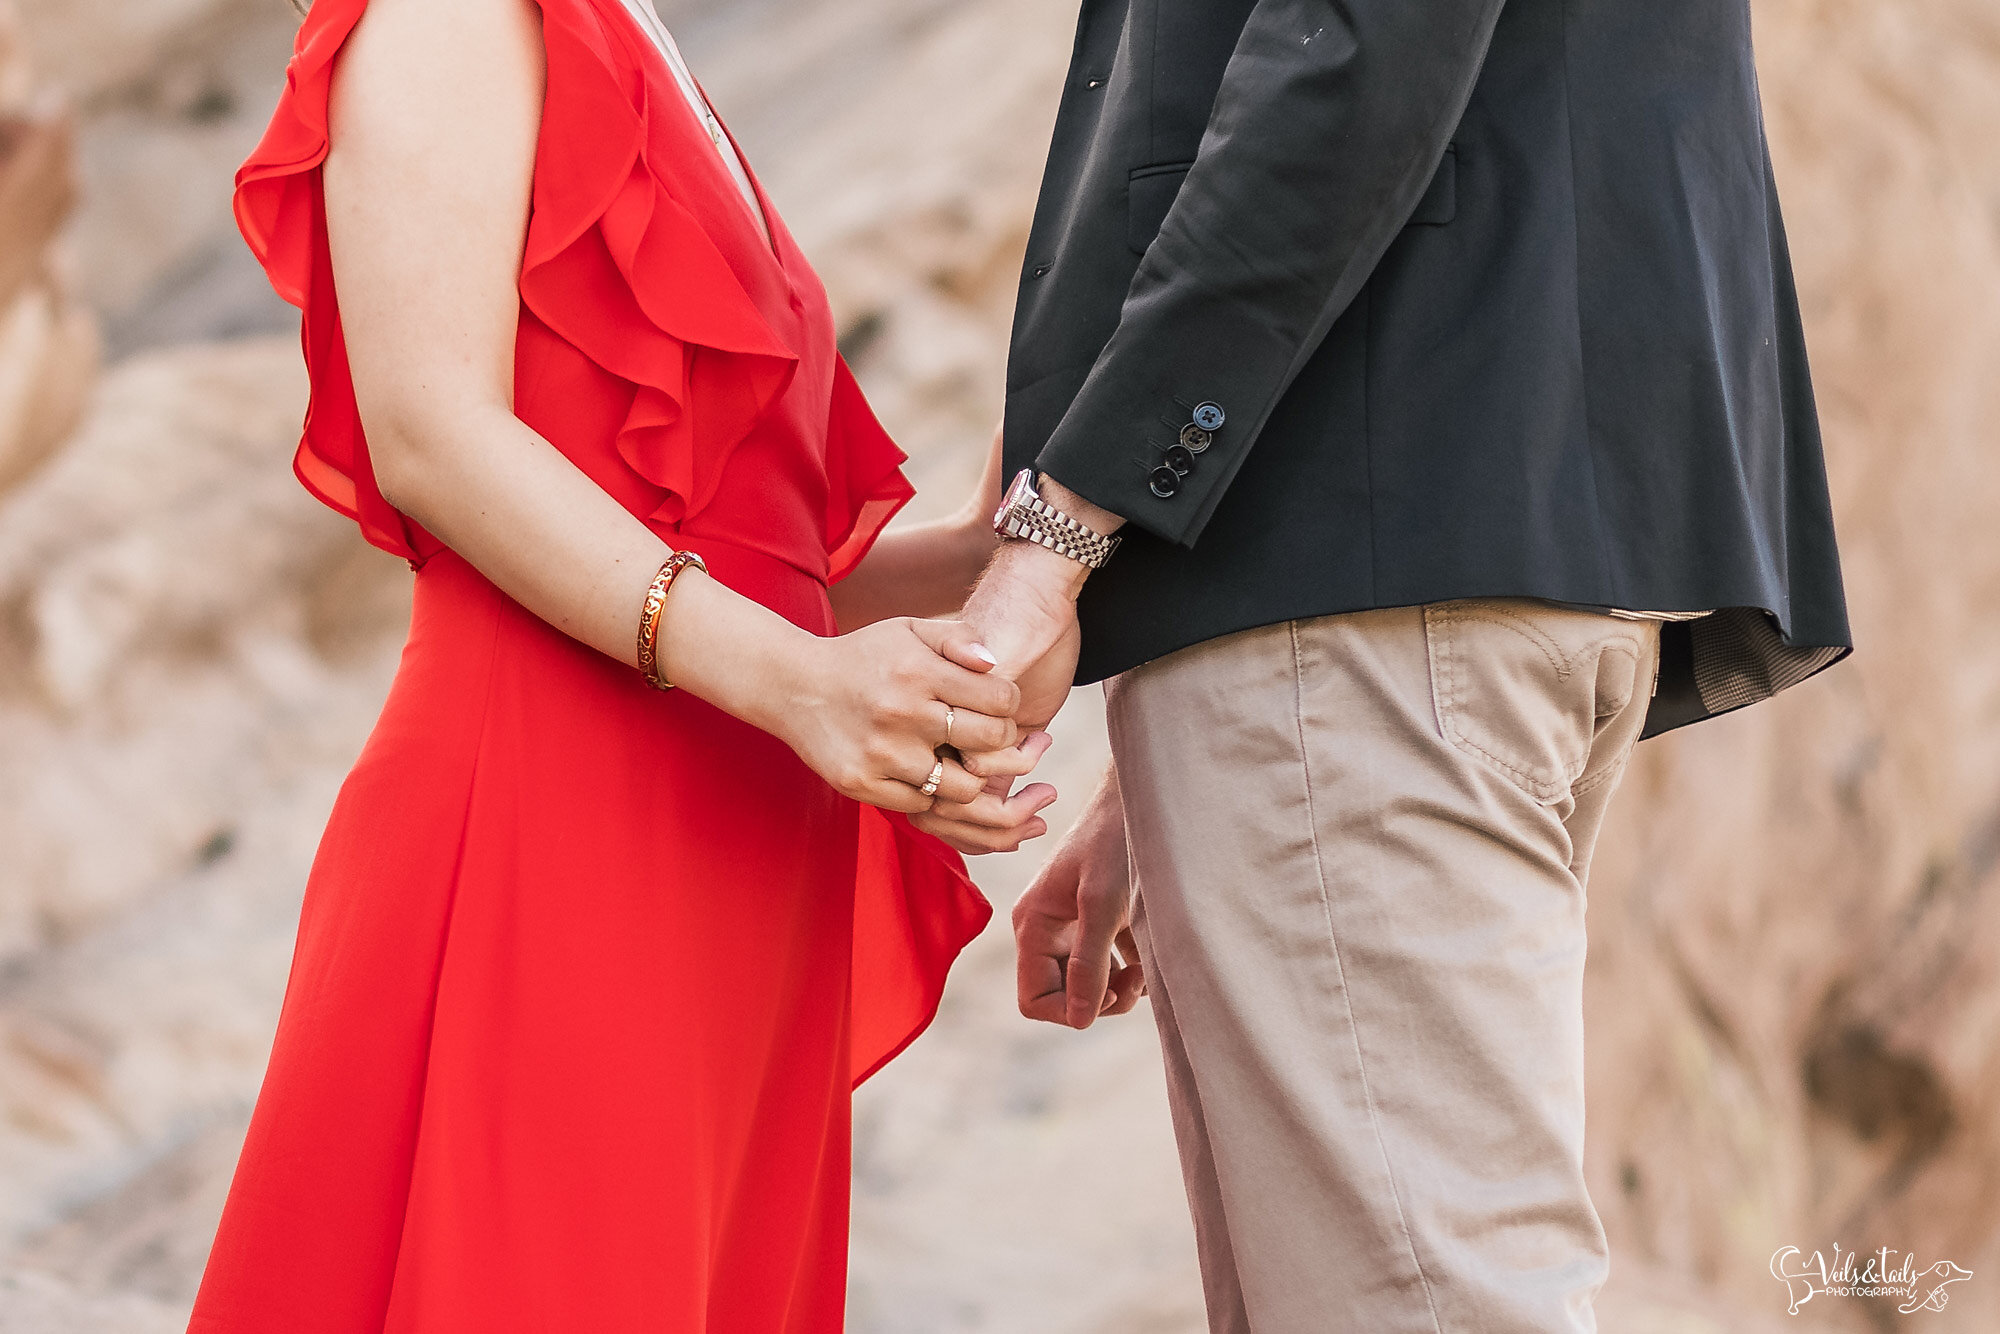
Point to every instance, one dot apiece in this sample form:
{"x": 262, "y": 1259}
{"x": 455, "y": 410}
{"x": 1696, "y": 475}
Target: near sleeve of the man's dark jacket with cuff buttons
{"x": 1331, "y": 121}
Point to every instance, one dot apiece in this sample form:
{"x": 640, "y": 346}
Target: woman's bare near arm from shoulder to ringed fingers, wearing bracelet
{"x": 435, "y": 123}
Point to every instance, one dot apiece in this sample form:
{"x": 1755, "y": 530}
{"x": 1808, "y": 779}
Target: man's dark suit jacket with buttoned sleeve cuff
{"x": 1493, "y": 299}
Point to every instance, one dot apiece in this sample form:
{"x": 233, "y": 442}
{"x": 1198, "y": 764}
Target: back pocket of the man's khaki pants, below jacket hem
{"x": 1527, "y": 687}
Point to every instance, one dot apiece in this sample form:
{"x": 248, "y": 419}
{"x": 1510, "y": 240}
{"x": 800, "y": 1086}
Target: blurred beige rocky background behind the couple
{"x": 1795, "y": 987}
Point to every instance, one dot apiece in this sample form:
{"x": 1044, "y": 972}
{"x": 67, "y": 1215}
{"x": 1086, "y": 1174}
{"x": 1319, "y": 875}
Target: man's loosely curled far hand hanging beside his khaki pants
{"x": 1071, "y": 919}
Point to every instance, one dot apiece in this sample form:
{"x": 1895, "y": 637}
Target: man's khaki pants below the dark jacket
{"x": 1361, "y": 849}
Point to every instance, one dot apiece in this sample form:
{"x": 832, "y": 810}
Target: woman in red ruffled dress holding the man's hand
{"x": 589, "y": 969}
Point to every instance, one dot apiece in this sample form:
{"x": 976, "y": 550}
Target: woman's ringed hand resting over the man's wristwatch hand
{"x": 869, "y": 711}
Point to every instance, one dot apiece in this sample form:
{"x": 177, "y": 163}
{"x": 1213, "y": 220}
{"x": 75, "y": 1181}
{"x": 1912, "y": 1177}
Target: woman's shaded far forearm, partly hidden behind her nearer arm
{"x": 925, "y": 569}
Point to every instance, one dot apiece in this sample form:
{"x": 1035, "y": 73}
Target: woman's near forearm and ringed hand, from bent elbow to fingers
{"x": 865, "y": 711}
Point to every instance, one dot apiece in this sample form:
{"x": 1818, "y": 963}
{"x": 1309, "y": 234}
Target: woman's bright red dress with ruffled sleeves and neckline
{"x": 585, "y": 971}
